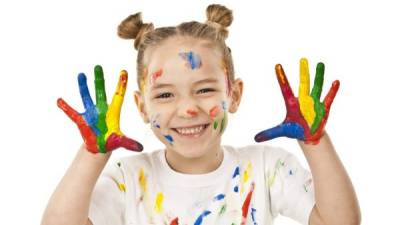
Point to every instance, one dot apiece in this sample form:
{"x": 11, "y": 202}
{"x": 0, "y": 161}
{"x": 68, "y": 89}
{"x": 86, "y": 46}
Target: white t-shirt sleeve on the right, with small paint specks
{"x": 291, "y": 188}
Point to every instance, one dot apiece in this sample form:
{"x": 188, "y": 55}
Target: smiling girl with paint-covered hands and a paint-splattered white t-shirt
{"x": 186, "y": 89}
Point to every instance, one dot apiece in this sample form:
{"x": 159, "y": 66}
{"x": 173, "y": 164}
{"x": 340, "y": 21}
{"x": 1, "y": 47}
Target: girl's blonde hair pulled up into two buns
{"x": 214, "y": 30}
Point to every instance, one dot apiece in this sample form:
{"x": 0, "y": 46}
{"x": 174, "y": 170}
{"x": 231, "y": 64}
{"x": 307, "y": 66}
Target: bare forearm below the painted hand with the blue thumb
{"x": 336, "y": 201}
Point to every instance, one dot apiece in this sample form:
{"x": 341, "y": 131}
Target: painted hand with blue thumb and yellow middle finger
{"x": 306, "y": 116}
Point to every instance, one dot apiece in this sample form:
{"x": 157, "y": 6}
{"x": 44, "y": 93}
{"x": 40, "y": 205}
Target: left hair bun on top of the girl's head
{"x": 133, "y": 28}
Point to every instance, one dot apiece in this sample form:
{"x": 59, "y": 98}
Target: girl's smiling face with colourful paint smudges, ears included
{"x": 186, "y": 96}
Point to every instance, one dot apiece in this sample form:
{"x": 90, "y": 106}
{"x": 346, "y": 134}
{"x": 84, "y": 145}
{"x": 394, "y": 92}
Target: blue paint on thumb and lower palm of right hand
{"x": 291, "y": 130}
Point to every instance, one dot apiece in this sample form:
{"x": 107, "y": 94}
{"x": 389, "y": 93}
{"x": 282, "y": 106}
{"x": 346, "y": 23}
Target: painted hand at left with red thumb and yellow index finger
{"x": 99, "y": 124}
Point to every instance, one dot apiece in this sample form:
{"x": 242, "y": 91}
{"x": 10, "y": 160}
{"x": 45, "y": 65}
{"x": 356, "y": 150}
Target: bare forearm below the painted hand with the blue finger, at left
{"x": 69, "y": 203}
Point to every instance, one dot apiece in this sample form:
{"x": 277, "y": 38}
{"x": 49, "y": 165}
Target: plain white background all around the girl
{"x": 45, "y": 44}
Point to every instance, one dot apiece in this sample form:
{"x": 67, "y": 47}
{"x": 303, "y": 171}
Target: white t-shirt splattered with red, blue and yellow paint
{"x": 252, "y": 185}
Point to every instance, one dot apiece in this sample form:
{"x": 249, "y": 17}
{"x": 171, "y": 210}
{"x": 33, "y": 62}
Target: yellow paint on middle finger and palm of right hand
{"x": 305, "y": 100}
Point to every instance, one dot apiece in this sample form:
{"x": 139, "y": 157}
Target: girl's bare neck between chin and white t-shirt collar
{"x": 200, "y": 165}
